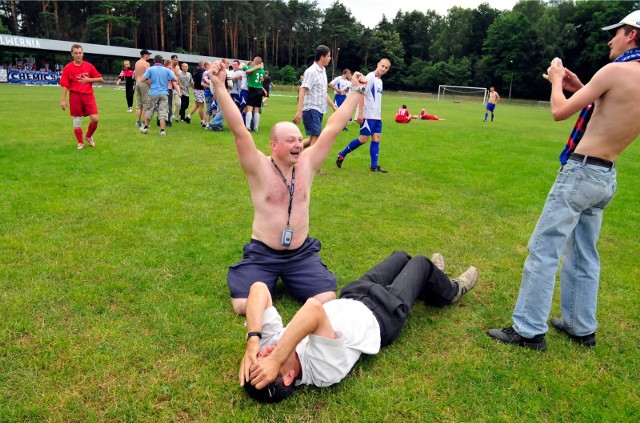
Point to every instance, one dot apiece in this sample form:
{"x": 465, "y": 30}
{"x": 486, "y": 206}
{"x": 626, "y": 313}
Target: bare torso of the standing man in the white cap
{"x": 615, "y": 122}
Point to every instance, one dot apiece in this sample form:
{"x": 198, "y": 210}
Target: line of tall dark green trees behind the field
{"x": 485, "y": 46}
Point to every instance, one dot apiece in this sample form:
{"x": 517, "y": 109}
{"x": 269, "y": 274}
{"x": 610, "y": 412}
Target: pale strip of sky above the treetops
{"x": 369, "y": 12}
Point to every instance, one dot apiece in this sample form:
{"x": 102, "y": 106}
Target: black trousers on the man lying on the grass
{"x": 390, "y": 288}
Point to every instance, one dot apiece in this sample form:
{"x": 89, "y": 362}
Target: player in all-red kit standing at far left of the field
{"x": 77, "y": 78}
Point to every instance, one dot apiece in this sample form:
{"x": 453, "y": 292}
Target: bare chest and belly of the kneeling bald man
{"x": 270, "y": 198}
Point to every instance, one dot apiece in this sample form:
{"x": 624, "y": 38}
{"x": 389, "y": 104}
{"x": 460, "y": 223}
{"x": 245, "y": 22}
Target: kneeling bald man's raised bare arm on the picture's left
{"x": 248, "y": 154}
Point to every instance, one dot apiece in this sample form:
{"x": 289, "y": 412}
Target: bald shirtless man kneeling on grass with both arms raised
{"x": 280, "y": 188}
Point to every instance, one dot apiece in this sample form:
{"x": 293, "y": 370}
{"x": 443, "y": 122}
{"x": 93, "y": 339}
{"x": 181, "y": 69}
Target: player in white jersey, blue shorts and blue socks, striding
{"x": 370, "y": 118}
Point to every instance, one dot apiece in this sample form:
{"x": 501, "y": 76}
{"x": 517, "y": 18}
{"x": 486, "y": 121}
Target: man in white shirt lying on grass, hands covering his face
{"x": 324, "y": 341}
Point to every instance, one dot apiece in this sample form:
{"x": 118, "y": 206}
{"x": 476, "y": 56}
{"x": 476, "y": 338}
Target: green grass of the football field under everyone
{"x": 113, "y": 297}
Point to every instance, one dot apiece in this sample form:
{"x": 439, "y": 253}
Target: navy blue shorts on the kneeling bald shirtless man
{"x": 301, "y": 270}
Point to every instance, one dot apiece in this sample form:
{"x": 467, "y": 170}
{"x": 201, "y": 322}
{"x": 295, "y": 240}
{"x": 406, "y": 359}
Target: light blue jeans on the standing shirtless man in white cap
{"x": 568, "y": 227}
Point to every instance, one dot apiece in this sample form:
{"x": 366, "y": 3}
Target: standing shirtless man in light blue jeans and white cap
{"x": 569, "y": 226}
